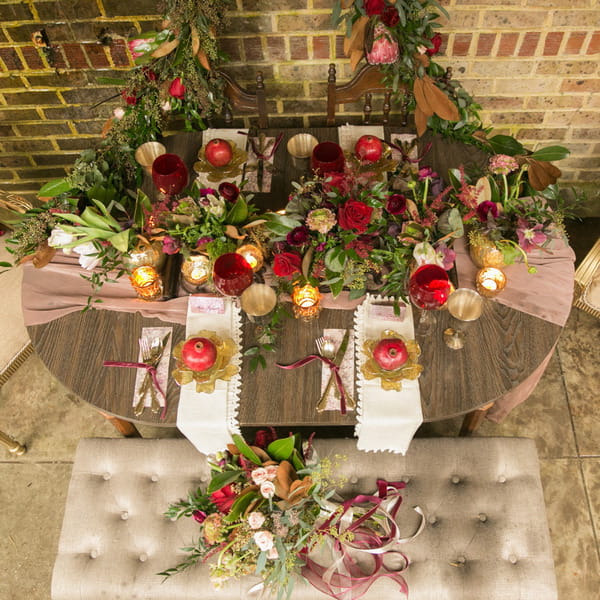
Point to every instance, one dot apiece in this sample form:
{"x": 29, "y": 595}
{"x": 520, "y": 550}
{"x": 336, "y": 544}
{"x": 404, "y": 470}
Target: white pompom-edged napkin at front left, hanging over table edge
{"x": 208, "y": 420}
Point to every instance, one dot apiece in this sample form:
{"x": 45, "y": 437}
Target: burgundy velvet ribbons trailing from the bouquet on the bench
{"x": 356, "y": 583}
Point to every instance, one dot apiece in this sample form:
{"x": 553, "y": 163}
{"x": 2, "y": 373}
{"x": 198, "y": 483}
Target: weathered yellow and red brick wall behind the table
{"x": 532, "y": 64}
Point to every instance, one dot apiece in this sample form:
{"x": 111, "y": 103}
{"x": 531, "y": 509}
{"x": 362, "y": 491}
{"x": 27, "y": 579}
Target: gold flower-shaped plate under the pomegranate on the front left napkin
{"x": 222, "y": 369}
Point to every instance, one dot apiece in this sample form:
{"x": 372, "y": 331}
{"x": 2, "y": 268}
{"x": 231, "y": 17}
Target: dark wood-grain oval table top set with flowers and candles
{"x": 503, "y": 348}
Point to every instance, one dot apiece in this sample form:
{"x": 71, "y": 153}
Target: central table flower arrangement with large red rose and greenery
{"x": 347, "y": 231}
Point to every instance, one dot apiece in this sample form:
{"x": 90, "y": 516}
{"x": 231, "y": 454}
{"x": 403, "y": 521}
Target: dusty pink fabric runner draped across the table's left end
{"x": 58, "y": 289}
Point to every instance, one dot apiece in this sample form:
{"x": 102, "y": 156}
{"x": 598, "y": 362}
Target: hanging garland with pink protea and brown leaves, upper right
{"x": 402, "y": 38}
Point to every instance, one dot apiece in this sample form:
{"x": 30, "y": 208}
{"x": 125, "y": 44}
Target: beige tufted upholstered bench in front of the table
{"x": 486, "y": 535}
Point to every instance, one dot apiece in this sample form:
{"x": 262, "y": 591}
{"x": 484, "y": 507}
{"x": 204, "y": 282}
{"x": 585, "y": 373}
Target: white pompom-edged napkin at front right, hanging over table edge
{"x": 386, "y": 420}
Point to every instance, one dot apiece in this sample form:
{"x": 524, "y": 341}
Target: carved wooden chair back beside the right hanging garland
{"x": 366, "y": 82}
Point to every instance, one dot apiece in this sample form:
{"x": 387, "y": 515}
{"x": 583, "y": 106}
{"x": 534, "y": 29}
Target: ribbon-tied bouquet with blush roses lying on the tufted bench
{"x": 269, "y": 511}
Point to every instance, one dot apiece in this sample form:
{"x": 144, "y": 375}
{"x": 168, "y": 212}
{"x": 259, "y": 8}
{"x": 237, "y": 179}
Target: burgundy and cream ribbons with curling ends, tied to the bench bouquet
{"x": 344, "y": 578}
